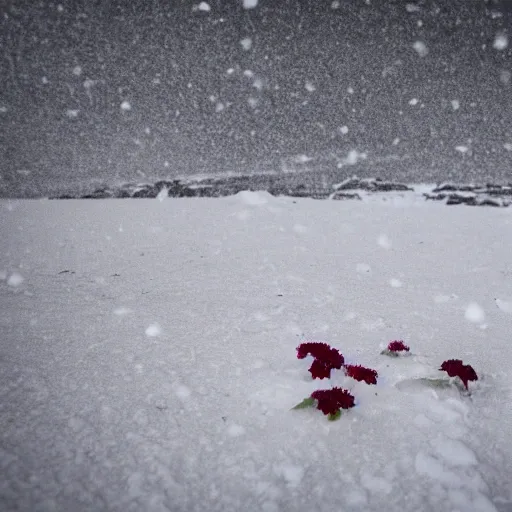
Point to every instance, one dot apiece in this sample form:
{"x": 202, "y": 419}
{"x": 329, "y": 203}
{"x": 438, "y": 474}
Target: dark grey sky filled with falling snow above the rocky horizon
{"x": 67, "y": 68}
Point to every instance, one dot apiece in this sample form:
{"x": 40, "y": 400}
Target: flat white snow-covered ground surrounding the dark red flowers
{"x": 148, "y": 362}
